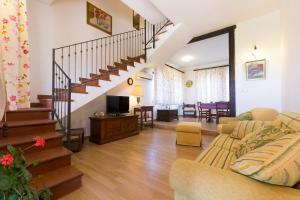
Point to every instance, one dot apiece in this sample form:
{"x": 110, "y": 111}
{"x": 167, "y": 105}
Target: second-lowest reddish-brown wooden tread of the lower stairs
{"x": 48, "y": 154}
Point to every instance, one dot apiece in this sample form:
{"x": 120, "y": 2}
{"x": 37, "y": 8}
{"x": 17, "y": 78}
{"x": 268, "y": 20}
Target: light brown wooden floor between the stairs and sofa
{"x": 135, "y": 168}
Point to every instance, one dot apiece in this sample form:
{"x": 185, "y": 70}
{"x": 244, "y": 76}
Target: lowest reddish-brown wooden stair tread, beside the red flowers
{"x": 56, "y": 177}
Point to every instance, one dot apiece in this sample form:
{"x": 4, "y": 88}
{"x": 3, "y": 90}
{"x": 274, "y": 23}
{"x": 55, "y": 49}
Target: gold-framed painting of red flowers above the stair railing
{"x": 99, "y": 19}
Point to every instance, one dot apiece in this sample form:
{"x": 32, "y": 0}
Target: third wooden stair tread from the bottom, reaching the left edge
{"x": 18, "y": 140}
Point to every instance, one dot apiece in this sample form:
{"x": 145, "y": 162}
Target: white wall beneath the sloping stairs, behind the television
{"x": 80, "y": 118}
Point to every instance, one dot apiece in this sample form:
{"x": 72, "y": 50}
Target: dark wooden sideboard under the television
{"x": 107, "y": 129}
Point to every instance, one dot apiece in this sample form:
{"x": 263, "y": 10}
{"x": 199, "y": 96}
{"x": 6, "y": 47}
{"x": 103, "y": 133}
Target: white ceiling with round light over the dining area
{"x": 205, "y": 52}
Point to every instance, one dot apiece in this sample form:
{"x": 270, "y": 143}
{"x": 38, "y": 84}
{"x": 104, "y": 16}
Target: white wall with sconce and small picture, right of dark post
{"x": 264, "y": 32}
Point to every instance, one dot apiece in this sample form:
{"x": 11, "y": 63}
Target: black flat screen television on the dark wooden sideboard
{"x": 117, "y": 104}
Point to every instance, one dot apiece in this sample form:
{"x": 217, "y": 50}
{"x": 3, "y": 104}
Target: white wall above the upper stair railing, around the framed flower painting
{"x": 64, "y": 23}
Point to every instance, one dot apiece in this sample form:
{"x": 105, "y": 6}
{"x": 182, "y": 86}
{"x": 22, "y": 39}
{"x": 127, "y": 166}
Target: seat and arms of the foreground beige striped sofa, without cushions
{"x": 209, "y": 177}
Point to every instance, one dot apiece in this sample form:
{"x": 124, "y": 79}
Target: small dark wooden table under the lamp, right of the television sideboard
{"x": 142, "y": 112}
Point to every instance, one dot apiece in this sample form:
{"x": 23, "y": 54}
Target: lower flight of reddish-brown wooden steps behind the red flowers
{"x": 54, "y": 169}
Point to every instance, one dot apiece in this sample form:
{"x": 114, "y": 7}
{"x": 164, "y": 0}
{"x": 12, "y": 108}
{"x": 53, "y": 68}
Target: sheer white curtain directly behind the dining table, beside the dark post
{"x": 212, "y": 85}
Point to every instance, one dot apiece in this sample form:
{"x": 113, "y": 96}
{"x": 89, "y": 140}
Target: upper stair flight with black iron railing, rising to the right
{"x": 87, "y": 70}
